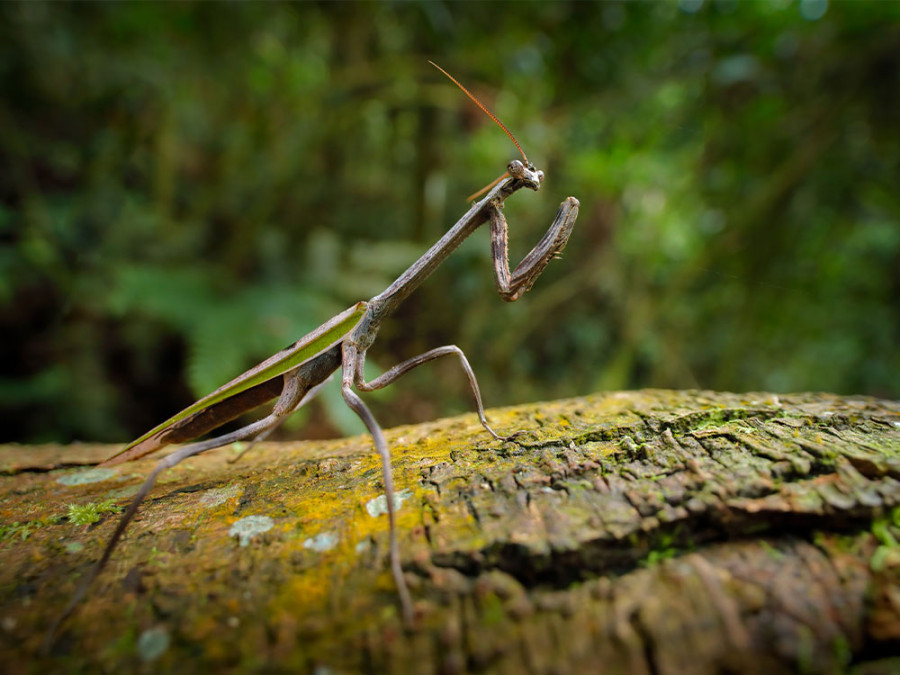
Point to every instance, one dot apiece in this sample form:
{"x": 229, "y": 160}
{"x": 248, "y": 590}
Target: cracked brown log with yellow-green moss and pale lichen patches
{"x": 642, "y": 532}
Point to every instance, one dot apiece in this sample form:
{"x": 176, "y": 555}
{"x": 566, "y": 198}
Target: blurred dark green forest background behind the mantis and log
{"x": 186, "y": 188}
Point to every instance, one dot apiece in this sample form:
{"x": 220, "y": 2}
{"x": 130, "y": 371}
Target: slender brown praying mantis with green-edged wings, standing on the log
{"x": 295, "y": 374}
